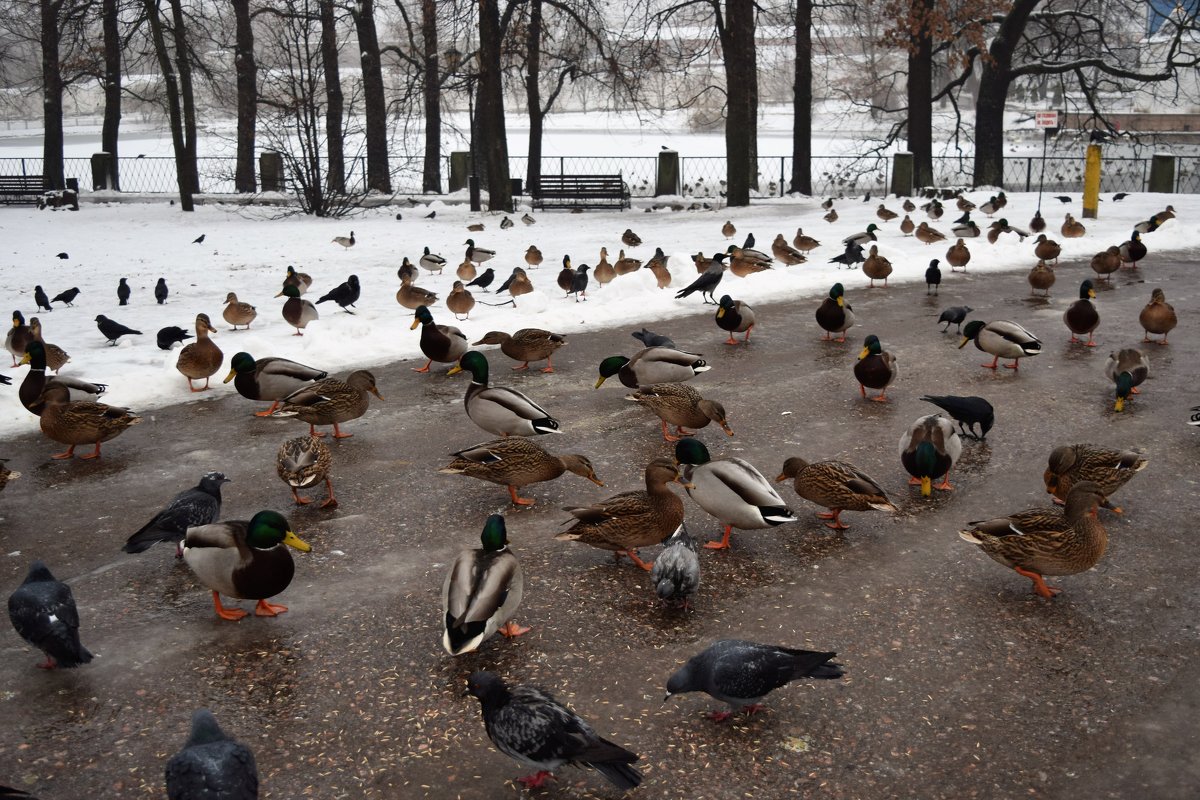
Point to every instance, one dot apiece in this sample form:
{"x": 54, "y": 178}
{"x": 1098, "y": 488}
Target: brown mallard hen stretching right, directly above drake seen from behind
{"x": 515, "y": 462}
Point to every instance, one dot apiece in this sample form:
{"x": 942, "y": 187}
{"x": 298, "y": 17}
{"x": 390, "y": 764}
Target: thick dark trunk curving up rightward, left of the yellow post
{"x": 994, "y": 82}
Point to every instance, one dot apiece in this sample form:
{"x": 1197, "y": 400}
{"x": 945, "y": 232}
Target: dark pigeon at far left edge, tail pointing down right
{"x": 45, "y": 615}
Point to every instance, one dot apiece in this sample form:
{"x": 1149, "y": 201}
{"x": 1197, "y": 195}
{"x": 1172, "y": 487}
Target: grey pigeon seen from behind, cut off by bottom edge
{"x": 212, "y": 766}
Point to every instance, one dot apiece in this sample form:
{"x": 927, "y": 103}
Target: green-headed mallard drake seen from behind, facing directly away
{"x": 482, "y": 592}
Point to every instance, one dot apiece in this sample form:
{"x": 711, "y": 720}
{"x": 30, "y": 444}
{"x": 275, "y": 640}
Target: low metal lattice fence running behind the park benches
{"x": 701, "y": 178}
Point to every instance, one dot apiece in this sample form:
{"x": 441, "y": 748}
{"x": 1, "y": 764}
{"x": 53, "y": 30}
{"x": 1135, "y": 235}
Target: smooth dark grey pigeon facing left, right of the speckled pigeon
{"x": 742, "y": 673}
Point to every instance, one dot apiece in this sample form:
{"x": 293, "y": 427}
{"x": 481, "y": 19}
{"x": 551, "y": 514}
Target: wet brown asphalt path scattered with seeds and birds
{"x": 961, "y": 683}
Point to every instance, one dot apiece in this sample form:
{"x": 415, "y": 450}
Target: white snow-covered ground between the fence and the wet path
{"x": 248, "y": 252}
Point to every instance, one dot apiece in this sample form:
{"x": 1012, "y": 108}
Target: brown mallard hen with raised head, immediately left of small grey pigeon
{"x": 632, "y": 520}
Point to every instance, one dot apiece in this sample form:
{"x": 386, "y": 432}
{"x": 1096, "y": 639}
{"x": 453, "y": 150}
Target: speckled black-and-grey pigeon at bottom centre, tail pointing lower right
{"x": 529, "y": 725}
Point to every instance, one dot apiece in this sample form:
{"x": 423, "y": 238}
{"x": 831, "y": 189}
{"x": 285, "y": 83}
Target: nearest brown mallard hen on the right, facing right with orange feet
{"x": 1047, "y": 542}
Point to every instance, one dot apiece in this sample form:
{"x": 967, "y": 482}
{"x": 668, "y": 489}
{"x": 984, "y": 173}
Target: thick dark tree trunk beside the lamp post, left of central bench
{"x": 490, "y": 112}
